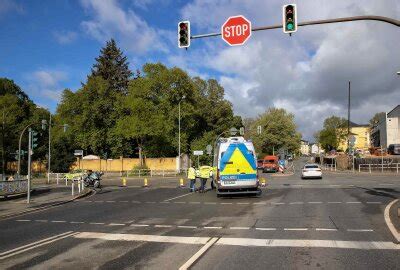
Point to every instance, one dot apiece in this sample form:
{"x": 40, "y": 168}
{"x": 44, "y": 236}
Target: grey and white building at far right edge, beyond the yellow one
{"x": 387, "y": 130}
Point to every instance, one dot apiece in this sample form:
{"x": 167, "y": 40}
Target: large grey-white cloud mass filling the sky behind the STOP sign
{"x": 307, "y": 73}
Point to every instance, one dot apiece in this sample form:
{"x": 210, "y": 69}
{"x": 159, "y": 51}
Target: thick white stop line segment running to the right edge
{"x": 307, "y": 243}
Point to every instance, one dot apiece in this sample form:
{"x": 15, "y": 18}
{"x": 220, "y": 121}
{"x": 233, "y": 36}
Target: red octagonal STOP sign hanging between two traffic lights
{"x": 236, "y": 30}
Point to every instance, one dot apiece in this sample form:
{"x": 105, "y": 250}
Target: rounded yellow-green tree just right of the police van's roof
{"x": 279, "y": 131}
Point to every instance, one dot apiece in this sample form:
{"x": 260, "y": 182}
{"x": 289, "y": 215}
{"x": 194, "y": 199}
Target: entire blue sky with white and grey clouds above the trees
{"x": 47, "y": 46}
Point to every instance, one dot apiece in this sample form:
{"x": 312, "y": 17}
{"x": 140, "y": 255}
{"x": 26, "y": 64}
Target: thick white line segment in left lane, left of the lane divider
{"x": 144, "y": 238}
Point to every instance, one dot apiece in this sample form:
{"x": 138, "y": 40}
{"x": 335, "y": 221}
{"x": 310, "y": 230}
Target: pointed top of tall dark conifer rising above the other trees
{"x": 113, "y": 67}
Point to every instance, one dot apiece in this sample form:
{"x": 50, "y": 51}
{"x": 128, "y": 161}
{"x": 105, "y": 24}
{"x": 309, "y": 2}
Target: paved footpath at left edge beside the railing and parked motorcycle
{"x": 42, "y": 196}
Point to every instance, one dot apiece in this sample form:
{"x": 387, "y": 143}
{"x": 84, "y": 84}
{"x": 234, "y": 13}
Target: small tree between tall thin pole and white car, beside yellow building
{"x": 334, "y": 131}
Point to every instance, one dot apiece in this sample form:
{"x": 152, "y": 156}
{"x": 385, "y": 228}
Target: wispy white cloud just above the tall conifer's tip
{"x": 109, "y": 20}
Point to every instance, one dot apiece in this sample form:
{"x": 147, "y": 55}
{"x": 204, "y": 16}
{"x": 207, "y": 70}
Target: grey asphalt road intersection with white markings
{"x": 333, "y": 223}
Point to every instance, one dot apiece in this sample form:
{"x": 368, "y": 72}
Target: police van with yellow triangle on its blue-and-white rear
{"x": 235, "y": 166}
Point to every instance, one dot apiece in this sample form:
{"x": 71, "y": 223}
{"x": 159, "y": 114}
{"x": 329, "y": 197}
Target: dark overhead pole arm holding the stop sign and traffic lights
{"x": 337, "y": 20}
